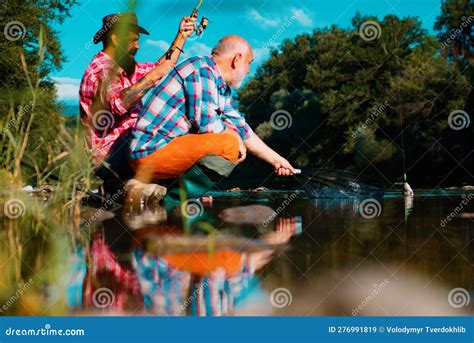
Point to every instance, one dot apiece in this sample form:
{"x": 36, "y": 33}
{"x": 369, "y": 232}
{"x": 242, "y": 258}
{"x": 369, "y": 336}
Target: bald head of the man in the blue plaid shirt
{"x": 233, "y": 55}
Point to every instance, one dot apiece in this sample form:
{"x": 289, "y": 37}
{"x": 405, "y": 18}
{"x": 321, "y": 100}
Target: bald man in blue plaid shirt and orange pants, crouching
{"x": 190, "y": 115}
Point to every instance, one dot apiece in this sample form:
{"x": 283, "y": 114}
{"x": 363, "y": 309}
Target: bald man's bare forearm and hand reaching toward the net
{"x": 258, "y": 148}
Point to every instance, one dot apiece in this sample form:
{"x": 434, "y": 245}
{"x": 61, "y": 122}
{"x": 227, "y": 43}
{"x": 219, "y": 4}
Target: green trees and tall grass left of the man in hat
{"x": 28, "y": 107}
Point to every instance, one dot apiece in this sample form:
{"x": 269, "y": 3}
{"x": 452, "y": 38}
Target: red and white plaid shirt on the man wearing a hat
{"x": 102, "y": 112}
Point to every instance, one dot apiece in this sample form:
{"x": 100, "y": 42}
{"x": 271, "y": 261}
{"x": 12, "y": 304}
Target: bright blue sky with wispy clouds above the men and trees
{"x": 264, "y": 23}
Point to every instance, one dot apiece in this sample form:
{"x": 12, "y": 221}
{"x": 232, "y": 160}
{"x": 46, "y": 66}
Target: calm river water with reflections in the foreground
{"x": 248, "y": 253}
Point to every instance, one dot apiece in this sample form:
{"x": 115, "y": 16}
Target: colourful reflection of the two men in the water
{"x": 121, "y": 274}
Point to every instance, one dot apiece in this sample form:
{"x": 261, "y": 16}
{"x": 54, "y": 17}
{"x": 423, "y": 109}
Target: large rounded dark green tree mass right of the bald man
{"x": 348, "y": 91}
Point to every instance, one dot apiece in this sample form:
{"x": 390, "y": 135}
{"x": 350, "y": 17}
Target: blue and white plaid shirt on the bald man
{"x": 192, "y": 98}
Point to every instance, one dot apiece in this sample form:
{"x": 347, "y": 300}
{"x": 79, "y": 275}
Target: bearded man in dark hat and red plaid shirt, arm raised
{"x": 113, "y": 86}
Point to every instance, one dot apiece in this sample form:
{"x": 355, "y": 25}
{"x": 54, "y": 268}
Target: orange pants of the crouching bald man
{"x": 182, "y": 153}
